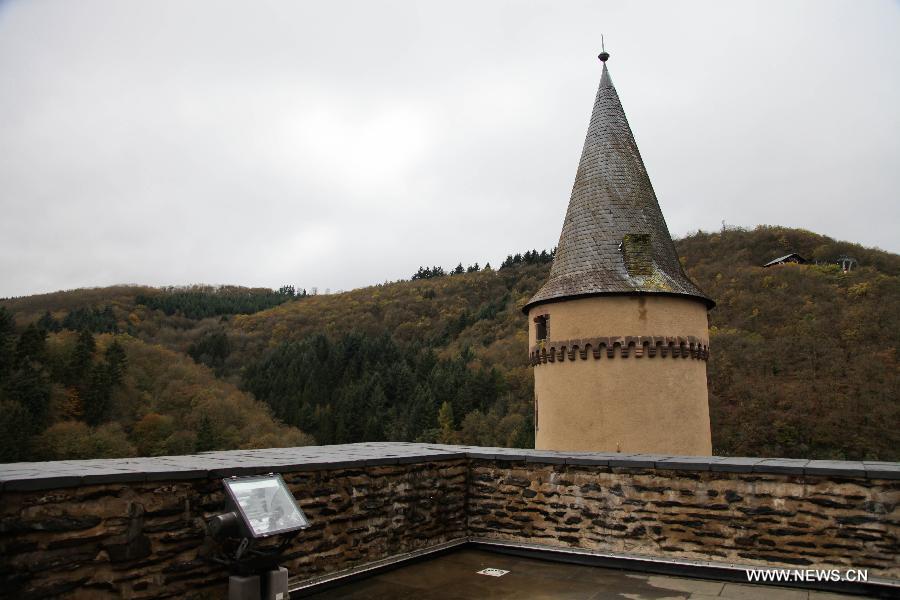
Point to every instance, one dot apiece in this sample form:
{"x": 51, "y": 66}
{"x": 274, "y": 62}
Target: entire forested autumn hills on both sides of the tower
{"x": 803, "y": 358}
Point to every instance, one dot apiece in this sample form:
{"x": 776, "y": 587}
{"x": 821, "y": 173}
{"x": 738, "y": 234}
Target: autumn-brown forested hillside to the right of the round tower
{"x": 804, "y": 357}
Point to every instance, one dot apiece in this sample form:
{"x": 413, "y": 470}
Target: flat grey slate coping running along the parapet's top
{"x": 32, "y": 476}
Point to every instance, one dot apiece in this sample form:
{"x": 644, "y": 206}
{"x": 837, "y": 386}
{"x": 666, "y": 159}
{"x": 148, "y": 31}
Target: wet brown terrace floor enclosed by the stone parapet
{"x": 454, "y": 576}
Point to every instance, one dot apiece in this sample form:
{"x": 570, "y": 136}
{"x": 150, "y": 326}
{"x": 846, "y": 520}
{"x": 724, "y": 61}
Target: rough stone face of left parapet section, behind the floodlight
{"x": 147, "y": 540}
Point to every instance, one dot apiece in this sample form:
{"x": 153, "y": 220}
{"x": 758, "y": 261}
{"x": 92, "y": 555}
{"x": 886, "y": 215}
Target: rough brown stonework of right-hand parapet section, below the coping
{"x": 747, "y": 518}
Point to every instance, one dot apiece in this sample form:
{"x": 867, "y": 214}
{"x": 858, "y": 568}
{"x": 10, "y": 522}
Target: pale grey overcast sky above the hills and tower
{"x": 339, "y": 144}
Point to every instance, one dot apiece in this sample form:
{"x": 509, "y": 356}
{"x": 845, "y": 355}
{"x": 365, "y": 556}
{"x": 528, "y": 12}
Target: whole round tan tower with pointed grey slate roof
{"x": 618, "y": 335}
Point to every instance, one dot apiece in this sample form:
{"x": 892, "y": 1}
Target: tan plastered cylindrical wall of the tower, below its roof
{"x": 634, "y": 403}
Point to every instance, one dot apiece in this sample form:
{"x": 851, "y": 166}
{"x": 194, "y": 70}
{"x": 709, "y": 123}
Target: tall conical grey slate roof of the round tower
{"x": 614, "y": 238}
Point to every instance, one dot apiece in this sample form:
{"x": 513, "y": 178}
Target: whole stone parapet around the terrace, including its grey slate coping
{"x": 135, "y": 528}
